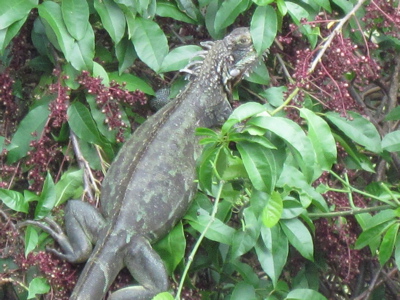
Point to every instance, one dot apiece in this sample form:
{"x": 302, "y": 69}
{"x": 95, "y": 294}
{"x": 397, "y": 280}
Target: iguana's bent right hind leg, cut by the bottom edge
{"x": 147, "y": 268}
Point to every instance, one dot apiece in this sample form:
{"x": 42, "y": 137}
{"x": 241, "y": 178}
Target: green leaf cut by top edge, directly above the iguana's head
{"x": 228, "y": 12}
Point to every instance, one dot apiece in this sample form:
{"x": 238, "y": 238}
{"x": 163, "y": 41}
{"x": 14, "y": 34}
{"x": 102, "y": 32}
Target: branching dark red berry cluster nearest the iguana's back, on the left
{"x": 109, "y": 99}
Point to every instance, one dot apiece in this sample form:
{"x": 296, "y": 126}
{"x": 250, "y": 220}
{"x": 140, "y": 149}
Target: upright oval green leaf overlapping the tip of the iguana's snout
{"x": 263, "y": 28}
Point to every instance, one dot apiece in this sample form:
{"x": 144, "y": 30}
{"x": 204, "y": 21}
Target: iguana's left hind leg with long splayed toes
{"x": 83, "y": 224}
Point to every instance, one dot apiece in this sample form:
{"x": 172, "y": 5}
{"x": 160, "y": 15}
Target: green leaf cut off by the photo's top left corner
{"x": 13, "y": 11}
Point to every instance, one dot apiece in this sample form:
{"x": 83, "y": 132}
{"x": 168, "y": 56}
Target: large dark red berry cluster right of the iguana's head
{"x": 342, "y": 62}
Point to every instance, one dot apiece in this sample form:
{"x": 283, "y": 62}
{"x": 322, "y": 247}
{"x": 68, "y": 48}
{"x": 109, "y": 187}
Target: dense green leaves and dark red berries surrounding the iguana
{"x": 299, "y": 190}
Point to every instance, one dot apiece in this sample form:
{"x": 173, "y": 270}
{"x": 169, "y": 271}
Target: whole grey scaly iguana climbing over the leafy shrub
{"x": 151, "y": 183}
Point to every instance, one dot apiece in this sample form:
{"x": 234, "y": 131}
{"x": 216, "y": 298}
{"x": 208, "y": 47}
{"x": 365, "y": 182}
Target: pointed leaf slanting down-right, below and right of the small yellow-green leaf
{"x": 299, "y": 236}
